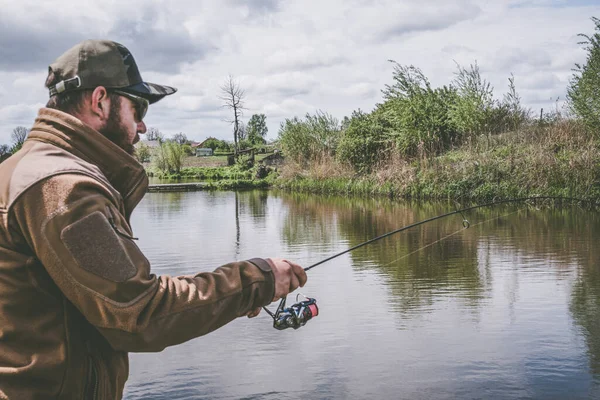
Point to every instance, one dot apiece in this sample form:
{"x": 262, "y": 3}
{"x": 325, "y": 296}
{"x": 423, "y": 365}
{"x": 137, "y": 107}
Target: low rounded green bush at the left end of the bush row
{"x": 306, "y": 140}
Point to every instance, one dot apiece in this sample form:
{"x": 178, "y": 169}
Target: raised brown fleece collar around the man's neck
{"x": 122, "y": 170}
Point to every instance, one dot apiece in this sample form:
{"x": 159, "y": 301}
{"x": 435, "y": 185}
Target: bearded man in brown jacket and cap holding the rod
{"x": 76, "y": 293}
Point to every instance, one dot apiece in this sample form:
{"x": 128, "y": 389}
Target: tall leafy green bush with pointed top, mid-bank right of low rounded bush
{"x": 417, "y": 114}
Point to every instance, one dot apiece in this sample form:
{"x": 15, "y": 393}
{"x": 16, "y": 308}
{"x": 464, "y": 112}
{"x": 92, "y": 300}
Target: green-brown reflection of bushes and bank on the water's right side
{"x": 424, "y": 263}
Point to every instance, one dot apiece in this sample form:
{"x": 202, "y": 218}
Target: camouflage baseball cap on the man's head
{"x": 93, "y": 63}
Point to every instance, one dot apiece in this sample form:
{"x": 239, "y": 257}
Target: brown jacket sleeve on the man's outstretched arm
{"x": 74, "y": 228}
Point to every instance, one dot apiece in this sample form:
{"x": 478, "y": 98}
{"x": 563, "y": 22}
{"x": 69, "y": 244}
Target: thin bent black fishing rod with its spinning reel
{"x": 300, "y": 313}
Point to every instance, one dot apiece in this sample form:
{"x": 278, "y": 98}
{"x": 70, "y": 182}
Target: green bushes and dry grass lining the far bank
{"x": 452, "y": 142}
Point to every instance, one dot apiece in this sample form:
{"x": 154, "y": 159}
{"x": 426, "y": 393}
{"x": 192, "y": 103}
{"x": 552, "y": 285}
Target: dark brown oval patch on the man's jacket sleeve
{"x": 96, "y": 247}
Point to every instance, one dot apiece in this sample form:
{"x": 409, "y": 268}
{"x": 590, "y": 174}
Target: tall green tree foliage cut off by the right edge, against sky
{"x": 583, "y": 92}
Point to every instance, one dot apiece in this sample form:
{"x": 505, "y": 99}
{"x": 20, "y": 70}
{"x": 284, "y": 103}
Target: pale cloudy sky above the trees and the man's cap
{"x": 293, "y": 57}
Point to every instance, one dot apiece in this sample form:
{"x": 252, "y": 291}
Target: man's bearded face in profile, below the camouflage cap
{"x": 123, "y": 126}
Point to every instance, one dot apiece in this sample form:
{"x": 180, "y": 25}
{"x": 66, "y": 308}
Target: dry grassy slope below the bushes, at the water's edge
{"x": 560, "y": 159}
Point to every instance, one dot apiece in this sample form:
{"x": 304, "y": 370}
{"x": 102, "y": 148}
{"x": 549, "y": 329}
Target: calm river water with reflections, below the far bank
{"x": 508, "y": 308}
